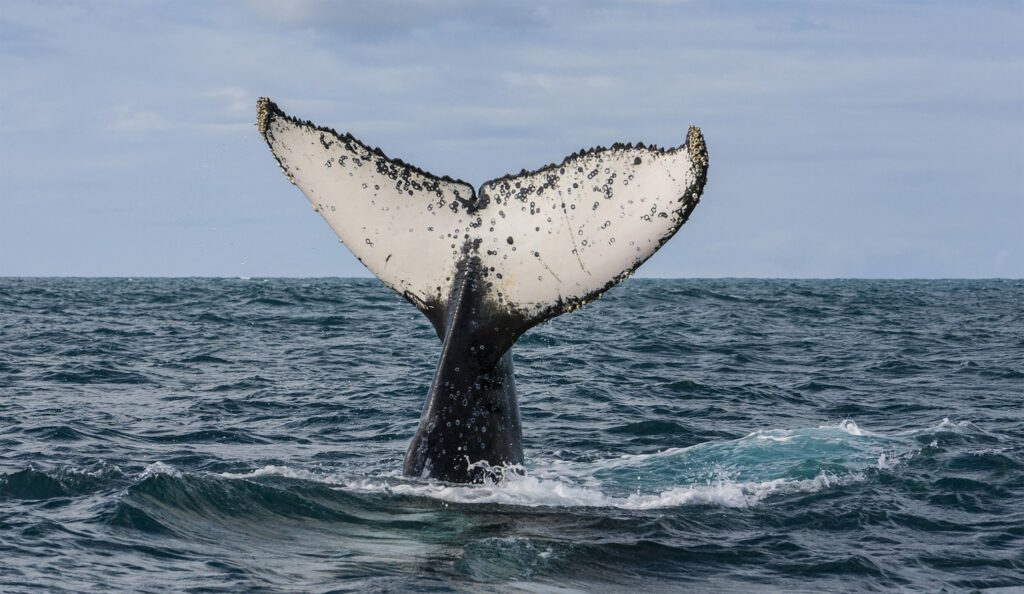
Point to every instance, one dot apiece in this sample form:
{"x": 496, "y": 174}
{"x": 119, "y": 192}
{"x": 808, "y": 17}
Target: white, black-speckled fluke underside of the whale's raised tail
{"x": 547, "y": 240}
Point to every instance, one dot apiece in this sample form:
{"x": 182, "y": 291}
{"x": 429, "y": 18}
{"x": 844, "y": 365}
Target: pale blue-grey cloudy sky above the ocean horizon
{"x": 846, "y": 140}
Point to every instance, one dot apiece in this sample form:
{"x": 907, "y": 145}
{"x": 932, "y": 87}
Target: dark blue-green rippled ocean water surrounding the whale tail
{"x": 229, "y": 436}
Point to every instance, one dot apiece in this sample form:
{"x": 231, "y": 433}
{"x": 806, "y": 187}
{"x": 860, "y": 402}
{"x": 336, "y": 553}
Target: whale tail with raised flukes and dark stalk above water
{"x": 487, "y": 266}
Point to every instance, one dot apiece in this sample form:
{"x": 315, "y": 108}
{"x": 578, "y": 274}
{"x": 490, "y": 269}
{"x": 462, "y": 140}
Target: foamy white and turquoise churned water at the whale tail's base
{"x": 736, "y": 474}
